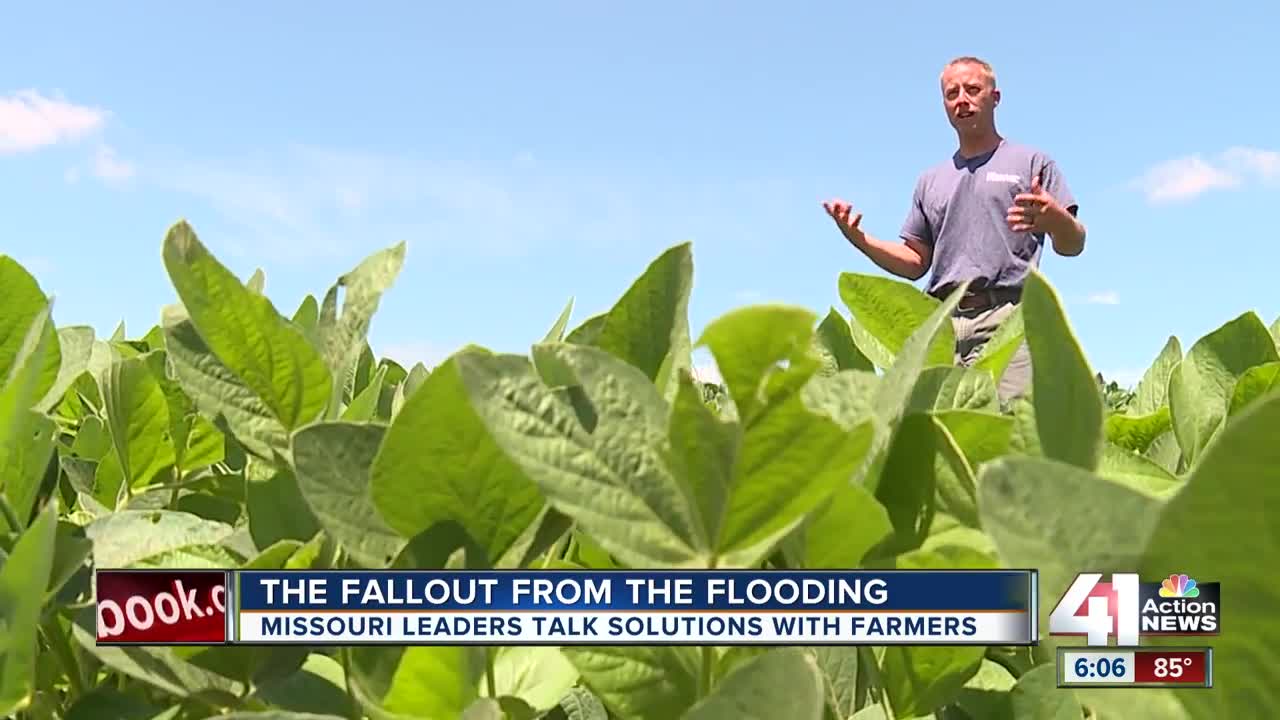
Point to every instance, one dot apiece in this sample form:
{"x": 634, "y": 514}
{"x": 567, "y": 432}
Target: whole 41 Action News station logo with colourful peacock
{"x": 1130, "y": 609}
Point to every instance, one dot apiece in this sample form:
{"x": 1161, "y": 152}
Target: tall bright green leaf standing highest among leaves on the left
{"x": 267, "y": 353}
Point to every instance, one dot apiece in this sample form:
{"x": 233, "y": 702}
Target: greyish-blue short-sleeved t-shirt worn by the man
{"x": 961, "y": 208}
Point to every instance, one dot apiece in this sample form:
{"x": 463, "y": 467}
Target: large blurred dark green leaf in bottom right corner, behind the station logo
{"x": 1227, "y": 500}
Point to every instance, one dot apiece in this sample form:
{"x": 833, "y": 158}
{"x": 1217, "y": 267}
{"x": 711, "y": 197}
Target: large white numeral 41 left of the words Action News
{"x": 1099, "y": 610}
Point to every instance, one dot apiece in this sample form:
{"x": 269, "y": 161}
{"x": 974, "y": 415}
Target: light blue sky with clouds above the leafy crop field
{"x": 529, "y": 153}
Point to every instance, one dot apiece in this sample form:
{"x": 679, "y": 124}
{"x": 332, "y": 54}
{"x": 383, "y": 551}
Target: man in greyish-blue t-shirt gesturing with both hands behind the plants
{"x": 982, "y": 217}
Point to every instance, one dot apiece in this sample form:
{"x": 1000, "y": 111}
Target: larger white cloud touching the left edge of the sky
{"x": 30, "y": 121}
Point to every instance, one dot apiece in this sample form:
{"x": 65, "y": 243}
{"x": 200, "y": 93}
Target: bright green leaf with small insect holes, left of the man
{"x": 749, "y": 343}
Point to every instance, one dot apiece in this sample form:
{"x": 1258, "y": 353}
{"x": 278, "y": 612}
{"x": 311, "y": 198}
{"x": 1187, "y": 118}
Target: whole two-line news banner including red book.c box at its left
{"x": 568, "y": 608}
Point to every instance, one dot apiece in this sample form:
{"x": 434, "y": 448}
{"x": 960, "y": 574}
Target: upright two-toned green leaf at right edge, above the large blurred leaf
{"x": 1200, "y": 388}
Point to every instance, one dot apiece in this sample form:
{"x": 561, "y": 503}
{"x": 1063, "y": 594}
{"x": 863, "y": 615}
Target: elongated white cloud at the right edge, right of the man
{"x": 1183, "y": 179}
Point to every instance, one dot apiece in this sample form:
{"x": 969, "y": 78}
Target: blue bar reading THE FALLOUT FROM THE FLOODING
{"x": 639, "y": 590}
